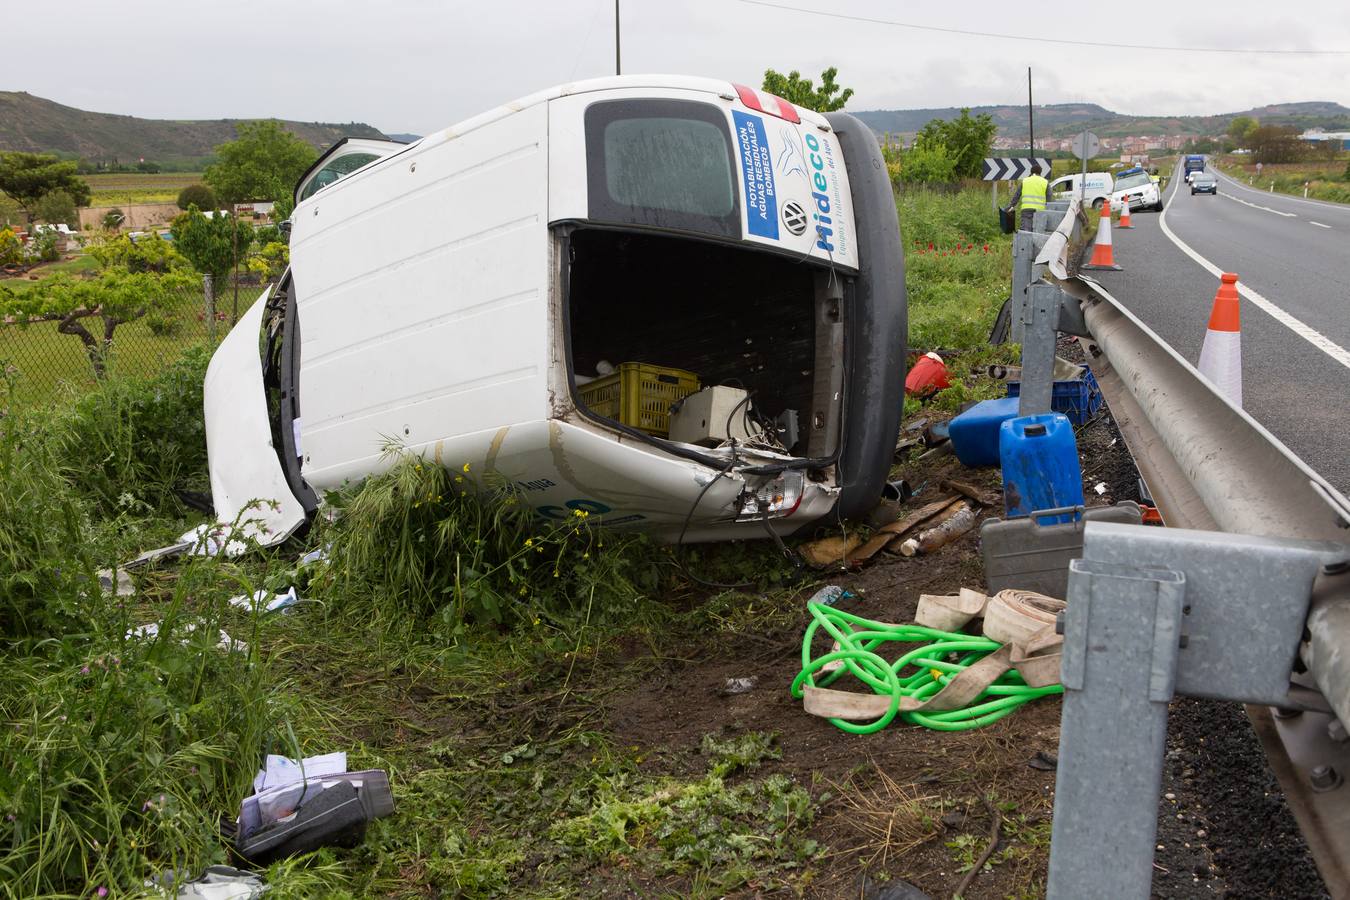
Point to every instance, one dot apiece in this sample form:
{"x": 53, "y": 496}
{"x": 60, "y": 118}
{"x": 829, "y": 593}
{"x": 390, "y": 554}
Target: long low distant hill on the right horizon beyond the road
{"x": 1067, "y": 119}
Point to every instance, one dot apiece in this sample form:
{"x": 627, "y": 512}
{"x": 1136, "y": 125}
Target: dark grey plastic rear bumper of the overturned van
{"x": 877, "y": 322}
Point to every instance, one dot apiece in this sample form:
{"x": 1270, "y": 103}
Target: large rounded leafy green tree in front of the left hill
{"x": 264, "y": 164}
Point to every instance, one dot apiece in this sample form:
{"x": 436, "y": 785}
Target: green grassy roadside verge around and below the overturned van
{"x": 491, "y": 665}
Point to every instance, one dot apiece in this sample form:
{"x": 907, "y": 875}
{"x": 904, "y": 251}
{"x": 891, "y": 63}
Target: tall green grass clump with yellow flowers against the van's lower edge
{"x": 423, "y": 543}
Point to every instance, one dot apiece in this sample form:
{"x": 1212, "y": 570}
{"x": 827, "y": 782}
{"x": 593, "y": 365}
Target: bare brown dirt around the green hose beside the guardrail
{"x": 902, "y": 804}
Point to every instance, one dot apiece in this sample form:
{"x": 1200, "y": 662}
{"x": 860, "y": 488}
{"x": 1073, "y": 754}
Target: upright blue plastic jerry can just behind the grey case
{"x": 1040, "y": 466}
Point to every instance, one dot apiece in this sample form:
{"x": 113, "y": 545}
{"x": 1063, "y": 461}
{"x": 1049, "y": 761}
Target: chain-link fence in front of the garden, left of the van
{"x": 52, "y": 364}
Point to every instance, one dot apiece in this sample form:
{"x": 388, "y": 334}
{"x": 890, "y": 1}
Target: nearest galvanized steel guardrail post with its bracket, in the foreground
{"x": 1154, "y": 615}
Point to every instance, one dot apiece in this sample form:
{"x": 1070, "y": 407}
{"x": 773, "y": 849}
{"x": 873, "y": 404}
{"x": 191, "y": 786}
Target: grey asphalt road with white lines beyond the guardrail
{"x": 1295, "y": 256}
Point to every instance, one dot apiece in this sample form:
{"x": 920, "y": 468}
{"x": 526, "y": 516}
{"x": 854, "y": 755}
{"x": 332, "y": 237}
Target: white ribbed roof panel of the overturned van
{"x": 422, "y": 292}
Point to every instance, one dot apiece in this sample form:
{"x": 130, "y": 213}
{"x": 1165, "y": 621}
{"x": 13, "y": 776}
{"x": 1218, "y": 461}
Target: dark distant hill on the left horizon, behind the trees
{"x": 34, "y": 125}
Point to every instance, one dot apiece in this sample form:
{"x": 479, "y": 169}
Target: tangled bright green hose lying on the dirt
{"x": 917, "y": 675}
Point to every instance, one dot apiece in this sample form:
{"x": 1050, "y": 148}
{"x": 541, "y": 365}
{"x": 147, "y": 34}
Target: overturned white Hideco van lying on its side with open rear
{"x": 466, "y": 296}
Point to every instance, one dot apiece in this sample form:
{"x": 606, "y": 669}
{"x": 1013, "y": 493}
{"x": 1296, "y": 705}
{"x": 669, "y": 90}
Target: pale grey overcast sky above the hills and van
{"x": 421, "y": 65}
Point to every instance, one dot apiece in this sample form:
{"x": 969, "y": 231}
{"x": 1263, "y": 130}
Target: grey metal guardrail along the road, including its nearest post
{"x": 1243, "y": 512}
